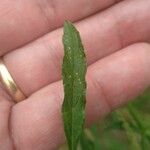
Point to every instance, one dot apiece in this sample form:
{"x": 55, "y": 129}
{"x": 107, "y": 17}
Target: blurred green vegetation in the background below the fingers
{"x": 127, "y": 128}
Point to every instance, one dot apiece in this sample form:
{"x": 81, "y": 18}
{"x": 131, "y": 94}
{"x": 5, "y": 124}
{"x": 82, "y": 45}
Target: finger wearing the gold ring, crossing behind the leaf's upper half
{"x": 39, "y": 64}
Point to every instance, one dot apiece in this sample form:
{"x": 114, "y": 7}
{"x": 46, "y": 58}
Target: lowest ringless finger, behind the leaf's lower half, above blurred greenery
{"x": 112, "y": 82}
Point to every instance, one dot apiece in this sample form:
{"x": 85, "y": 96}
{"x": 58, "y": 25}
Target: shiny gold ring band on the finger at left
{"x": 9, "y": 84}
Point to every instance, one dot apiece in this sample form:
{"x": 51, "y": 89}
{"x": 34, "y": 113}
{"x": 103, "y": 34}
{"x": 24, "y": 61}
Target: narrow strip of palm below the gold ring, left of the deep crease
{"x": 5, "y": 115}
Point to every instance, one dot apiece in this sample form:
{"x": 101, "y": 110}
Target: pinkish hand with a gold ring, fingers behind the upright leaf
{"x": 118, "y": 63}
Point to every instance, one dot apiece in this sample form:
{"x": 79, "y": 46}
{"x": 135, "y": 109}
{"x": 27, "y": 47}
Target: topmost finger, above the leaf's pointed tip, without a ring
{"x": 22, "y": 21}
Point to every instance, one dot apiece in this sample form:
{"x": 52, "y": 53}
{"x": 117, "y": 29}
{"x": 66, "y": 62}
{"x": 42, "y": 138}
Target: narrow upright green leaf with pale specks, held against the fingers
{"x": 73, "y": 72}
